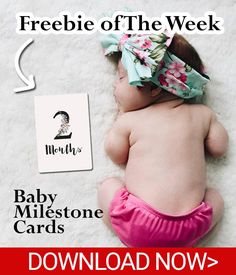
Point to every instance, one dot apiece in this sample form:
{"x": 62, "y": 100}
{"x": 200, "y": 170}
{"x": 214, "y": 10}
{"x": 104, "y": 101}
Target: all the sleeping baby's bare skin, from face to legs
{"x": 163, "y": 142}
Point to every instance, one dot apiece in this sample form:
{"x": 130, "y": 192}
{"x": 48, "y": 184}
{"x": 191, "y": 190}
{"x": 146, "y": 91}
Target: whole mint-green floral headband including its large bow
{"x": 146, "y": 58}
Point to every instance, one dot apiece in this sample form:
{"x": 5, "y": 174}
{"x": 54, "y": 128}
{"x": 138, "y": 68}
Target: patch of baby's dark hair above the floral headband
{"x": 186, "y": 52}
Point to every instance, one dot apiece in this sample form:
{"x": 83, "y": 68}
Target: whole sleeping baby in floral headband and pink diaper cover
{"x": 163, "y": 199}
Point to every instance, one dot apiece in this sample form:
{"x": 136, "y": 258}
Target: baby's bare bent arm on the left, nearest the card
{"x": 117, "y": 142}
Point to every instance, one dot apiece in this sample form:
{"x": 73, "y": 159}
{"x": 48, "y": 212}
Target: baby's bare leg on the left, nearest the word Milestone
{"x": 106, "y": 192}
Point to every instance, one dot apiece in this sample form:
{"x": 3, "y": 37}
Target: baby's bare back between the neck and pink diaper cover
{"x": 166, "y": 165}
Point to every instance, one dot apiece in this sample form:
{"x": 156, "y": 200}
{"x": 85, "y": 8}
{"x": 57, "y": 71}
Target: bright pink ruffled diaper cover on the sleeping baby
{"x": 137, "y": 224}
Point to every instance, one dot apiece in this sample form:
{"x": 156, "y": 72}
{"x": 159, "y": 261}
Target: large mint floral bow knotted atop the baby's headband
{"x": 141, "y": 53}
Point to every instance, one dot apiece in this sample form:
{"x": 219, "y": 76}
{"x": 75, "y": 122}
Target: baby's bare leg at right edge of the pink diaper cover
{"x": 214, "y": 199}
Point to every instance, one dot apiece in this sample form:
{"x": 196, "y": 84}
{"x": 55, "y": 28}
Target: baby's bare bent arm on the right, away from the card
{"x": 216, "y": 141}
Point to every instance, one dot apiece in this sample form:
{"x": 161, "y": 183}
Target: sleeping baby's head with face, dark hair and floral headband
{"x": 175, "y": 71}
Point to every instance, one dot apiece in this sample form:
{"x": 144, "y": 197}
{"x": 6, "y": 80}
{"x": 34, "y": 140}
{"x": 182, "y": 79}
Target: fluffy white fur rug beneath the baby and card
{"x": 75, "y": 64}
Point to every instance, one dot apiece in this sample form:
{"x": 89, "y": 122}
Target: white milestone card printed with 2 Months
{"x": 63, "y": 133}
